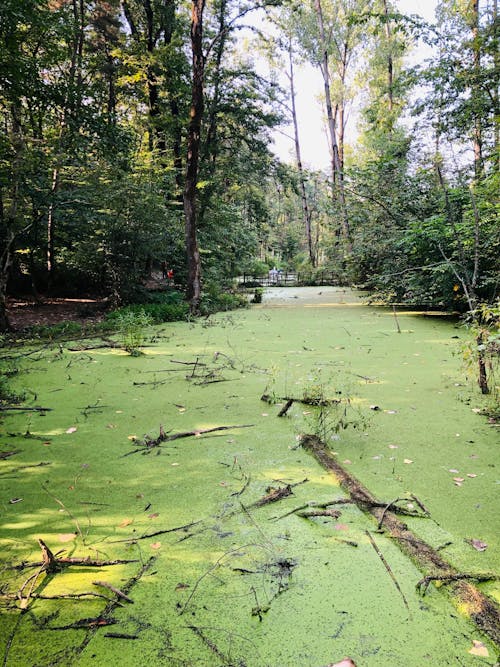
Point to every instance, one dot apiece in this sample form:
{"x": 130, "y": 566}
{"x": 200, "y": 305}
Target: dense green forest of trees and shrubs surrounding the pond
{"x": 138, "y": 132}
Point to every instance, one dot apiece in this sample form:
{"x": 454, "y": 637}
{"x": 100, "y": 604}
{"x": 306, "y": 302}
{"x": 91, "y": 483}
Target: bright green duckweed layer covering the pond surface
{"x": 158, "y": 511}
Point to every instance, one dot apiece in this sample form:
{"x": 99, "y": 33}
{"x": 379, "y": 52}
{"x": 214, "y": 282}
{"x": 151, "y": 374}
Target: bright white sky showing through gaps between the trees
{"x": 309, "y": 85}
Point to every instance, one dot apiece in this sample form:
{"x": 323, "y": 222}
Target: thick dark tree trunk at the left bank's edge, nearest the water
{"x": 193, "y": 156}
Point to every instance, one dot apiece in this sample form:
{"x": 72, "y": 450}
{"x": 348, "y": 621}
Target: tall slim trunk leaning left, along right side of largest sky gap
{"x": 337, "y": 173}
